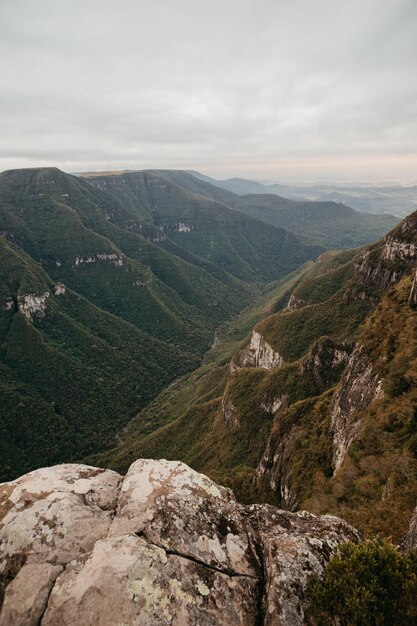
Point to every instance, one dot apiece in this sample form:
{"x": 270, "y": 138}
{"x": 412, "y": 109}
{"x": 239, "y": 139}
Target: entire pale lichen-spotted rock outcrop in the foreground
{"x": 163, "y": 545}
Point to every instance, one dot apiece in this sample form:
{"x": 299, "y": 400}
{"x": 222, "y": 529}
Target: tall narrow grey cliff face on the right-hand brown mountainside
{"x": 360, "y": 385}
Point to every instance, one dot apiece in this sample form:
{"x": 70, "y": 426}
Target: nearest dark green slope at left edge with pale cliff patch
{"x": 71, "y": 375}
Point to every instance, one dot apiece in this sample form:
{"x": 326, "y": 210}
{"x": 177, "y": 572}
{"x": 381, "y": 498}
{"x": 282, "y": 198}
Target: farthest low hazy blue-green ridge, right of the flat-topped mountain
{"x": 330, "y": 224}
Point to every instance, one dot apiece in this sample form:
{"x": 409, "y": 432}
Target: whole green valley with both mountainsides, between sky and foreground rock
{"x": 114, "y": 288}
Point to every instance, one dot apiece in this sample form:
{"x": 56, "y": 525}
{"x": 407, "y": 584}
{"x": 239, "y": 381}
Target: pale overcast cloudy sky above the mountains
{"x": 296, "y": 90}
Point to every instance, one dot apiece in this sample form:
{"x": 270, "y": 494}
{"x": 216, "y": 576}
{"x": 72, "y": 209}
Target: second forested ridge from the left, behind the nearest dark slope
{"x": 88, "y": 240}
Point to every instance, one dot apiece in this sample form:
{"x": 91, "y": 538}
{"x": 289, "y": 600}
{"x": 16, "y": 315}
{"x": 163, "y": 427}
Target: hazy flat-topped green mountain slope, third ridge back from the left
{"x": 245, "y": 247}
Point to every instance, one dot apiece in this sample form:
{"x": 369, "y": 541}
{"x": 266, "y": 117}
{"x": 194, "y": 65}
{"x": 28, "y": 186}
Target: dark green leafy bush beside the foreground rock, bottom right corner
{"x": 369, "y": 584}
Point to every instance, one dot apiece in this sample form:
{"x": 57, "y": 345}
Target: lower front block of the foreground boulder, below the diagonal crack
{"x": 129, "y": 581}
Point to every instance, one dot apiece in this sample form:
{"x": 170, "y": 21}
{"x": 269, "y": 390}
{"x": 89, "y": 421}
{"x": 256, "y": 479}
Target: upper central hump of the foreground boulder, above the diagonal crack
{"x": 182, "y": 511}
